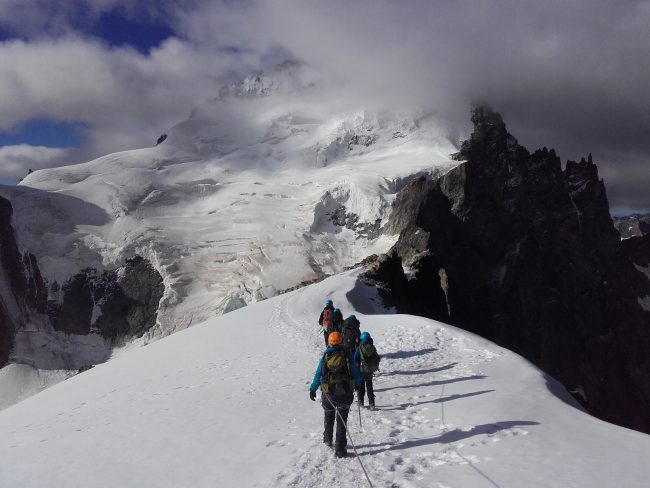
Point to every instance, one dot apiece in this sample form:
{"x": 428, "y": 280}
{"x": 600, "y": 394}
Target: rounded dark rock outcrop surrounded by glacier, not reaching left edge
{"x": 116, "y": 304}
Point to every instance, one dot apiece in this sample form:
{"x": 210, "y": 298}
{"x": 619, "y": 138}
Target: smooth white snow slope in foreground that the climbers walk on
{"x": 225, "y": 403}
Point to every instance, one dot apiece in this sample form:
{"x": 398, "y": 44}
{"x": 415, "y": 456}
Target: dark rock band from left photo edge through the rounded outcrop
{"x": 116, "y": 304}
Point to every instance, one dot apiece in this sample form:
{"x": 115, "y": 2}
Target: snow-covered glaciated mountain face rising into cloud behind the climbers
{"x": 245, "y": 198}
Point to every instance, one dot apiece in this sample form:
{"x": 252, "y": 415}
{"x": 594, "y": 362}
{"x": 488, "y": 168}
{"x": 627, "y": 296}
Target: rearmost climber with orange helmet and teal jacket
{"x": 337, "y": 376}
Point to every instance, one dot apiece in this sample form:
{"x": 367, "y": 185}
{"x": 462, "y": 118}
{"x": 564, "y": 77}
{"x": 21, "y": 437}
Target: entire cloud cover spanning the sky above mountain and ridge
{"x": 569, "y": 75}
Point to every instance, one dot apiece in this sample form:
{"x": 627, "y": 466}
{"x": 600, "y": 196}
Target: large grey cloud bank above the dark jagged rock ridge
{"x": 569, "y": 75}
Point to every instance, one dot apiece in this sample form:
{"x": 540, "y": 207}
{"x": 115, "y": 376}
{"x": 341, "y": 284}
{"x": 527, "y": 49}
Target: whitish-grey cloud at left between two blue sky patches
{"x": 125, "y": 98}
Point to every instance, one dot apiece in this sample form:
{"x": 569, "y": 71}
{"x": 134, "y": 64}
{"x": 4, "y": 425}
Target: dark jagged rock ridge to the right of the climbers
{"x": 526, "y": 255}
